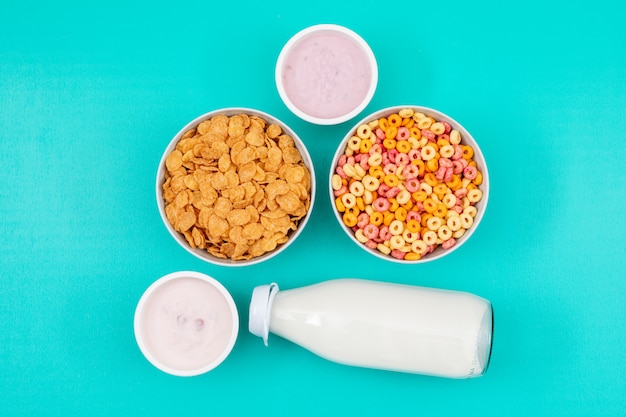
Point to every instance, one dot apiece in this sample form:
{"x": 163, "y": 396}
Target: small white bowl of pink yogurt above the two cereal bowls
{"x": 326, "y": 74}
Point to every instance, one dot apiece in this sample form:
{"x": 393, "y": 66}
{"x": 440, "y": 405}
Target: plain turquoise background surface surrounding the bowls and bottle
{"x": 90, "y": 95}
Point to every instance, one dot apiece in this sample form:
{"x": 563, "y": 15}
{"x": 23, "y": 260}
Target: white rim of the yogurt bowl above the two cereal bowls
{"x": 297, "y": 38}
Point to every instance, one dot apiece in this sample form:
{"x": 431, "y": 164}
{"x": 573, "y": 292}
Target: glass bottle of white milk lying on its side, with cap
{"x": 381, "y": 325}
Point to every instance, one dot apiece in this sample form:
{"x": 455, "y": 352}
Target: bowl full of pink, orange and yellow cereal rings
{"x": 409, "y": 184}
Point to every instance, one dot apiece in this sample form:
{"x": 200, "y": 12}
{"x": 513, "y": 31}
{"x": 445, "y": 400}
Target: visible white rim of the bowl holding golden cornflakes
{"x": 201, "y": 253}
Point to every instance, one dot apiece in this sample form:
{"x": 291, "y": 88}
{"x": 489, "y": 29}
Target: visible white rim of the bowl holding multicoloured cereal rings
{"x": 467, "y": 139}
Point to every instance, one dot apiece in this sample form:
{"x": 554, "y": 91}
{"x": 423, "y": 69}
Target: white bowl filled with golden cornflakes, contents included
{"x": 235, "y": 186}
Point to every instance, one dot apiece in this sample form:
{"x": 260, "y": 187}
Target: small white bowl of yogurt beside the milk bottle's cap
{"x": 186, "y": 323}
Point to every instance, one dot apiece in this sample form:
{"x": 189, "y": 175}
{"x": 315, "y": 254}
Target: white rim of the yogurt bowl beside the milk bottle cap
{"x": 138, "y": 318}
